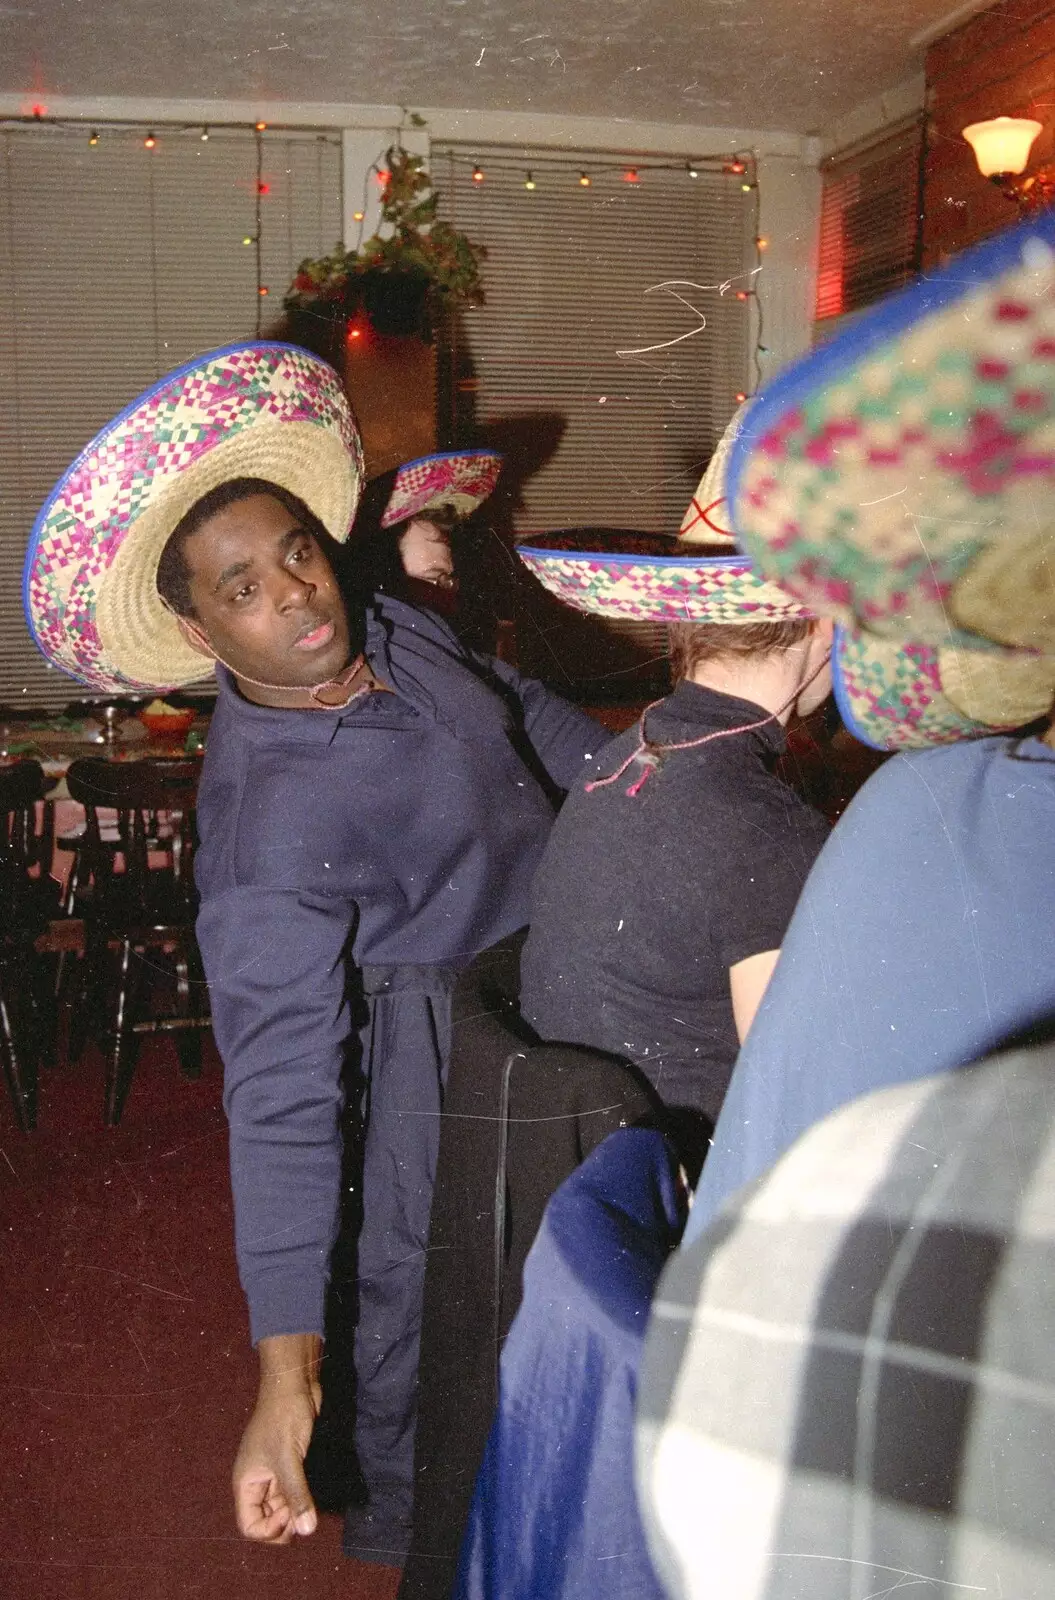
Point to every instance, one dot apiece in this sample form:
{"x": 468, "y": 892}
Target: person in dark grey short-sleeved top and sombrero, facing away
{"x": 670, "y": 878}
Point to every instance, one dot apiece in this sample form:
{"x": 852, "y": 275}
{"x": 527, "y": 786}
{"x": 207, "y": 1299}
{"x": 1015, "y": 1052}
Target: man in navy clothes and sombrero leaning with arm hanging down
{"x": 367, "y": 828}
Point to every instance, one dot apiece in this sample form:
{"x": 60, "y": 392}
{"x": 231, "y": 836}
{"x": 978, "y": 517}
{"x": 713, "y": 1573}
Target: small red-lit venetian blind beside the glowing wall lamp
{"x": 870, "y": 225}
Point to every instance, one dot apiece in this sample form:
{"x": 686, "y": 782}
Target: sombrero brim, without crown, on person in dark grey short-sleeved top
{"x": 654, "y": 580}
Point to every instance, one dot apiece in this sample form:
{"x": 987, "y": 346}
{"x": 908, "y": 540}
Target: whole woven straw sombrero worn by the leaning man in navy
{"x": 267, "y": 412}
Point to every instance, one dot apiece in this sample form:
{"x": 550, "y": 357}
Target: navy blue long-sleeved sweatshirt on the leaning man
{"x": 403, "y": 830}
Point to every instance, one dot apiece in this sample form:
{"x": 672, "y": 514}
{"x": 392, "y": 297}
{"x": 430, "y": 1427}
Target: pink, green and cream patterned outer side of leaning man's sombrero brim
{"x": 164, "y": 431}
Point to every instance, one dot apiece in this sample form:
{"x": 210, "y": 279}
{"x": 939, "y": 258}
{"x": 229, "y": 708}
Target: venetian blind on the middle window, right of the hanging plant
{"x": 611, "y": 327}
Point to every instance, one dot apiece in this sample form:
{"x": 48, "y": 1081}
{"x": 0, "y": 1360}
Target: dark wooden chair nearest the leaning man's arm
{"x": 132, "y": 905}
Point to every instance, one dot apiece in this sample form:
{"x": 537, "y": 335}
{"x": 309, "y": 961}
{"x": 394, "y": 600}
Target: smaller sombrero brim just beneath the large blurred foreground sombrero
{"x": 909, "y": 697}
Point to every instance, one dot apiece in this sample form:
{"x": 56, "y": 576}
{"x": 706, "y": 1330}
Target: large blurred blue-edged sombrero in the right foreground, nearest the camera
{"x": 872, "y": 476}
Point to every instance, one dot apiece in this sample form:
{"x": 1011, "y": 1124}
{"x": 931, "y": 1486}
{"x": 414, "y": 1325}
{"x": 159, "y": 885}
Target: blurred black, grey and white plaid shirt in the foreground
{"x": 848, "y": 1386}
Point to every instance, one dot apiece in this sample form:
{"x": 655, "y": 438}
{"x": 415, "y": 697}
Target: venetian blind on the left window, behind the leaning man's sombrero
{"x": 116, "y": 265}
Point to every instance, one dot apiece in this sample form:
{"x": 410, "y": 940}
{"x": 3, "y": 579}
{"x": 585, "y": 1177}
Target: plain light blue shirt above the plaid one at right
{"x": 921, "y": 943}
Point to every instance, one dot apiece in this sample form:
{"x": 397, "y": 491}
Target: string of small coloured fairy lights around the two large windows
{"x": 536, "y": 174}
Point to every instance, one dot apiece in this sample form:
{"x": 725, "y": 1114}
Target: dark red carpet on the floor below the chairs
{"x": 126, "y": 1366}
